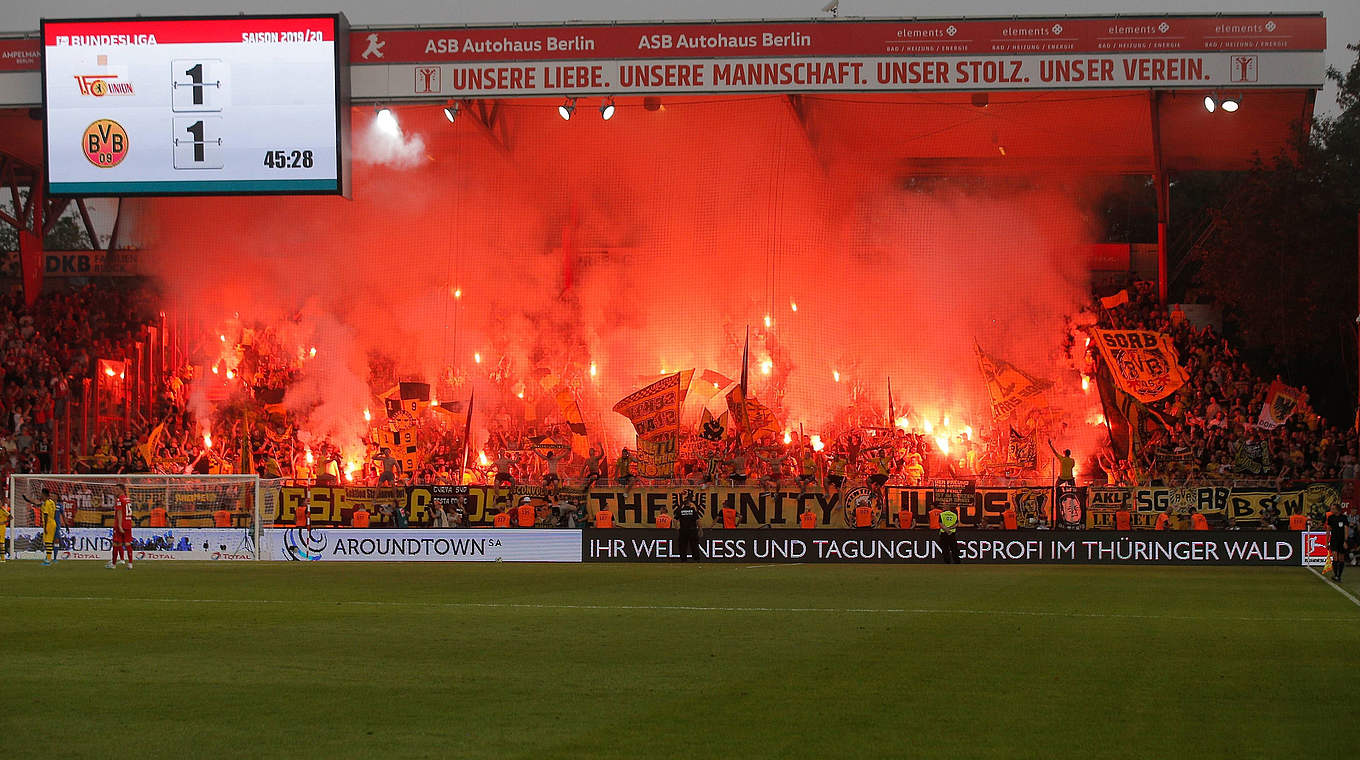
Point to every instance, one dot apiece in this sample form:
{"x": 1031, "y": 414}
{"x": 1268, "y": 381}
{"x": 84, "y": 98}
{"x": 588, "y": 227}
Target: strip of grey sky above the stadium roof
{"x": 1343, "y": 16}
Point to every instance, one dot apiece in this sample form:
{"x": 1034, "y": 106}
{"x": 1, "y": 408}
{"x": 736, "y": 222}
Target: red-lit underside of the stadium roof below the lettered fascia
{"x": 931, "y": 134}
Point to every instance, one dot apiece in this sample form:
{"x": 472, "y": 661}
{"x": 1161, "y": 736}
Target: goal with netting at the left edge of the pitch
{"x": 175, "y": 517}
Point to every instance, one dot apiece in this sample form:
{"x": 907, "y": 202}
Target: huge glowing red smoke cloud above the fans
{"x": 645, "y": 244}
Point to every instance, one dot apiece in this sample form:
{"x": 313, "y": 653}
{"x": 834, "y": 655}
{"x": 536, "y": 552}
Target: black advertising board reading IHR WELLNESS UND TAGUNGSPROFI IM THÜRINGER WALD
{"x": 1034, "y": 547}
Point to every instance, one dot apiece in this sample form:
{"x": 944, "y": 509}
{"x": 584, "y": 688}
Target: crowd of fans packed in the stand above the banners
{"x": 1211, "y": 426}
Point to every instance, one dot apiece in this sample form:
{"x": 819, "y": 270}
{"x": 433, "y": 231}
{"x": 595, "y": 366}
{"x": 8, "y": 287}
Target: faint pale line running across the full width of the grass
{"x": 686, "y": 608}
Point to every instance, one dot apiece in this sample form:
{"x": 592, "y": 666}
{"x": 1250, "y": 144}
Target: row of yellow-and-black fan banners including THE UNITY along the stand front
{"x": 758, "y": 508}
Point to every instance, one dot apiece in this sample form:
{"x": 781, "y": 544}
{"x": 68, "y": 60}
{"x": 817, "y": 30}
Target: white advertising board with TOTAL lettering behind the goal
{"x": 148, "y": 543}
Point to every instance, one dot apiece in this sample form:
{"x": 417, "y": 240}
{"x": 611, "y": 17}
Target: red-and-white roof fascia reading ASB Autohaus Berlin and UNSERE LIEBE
{"x": 849, "y": 55}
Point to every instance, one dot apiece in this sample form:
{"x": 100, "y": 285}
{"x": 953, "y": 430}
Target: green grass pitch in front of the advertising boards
{"x": 273, "y": 660}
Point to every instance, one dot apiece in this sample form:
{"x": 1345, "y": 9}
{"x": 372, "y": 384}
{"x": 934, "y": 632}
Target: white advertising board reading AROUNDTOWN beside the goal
{"x": 339, "y": 545}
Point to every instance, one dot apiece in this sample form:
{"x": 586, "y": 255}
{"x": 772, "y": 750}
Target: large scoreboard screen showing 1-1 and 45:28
{"x": 206, "y": 105}
